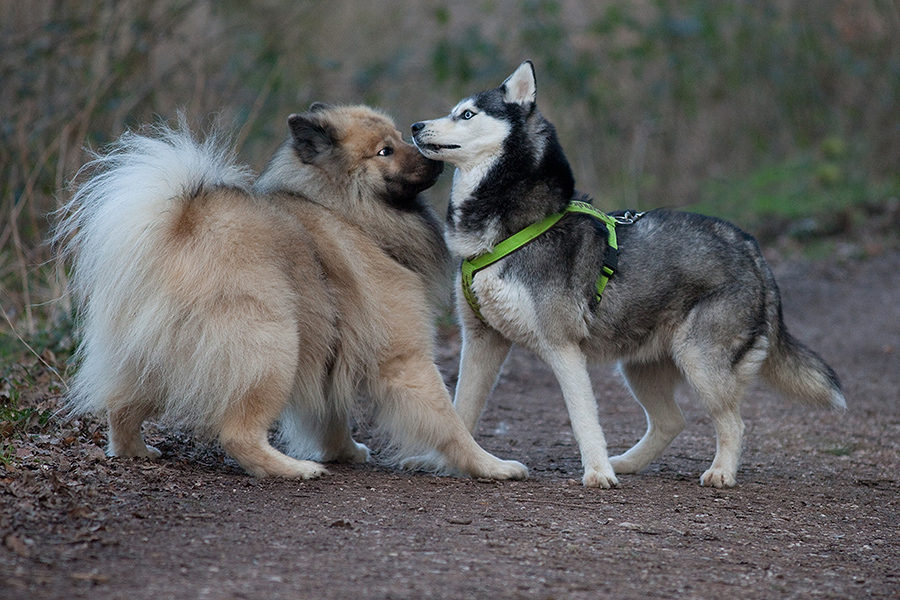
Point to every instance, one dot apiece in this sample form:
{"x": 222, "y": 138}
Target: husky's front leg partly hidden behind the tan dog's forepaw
{"x": 483, "y": 353}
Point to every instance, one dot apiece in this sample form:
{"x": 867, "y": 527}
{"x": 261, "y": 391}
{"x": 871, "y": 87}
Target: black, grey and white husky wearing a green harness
{"x": 690, "y": 298}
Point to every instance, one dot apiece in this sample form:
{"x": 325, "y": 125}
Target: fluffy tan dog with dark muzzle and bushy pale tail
{"x": 226, "y": 305}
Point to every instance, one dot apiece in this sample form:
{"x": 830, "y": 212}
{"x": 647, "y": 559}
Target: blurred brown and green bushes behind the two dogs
{"x": 759, "y": 110}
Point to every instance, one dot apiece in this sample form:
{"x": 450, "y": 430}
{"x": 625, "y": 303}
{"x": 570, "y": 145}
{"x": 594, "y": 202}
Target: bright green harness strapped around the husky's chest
{"x": 518, "y": 240}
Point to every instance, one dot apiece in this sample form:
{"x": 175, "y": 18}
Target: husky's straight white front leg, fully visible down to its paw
{"x": 570, "y": 367}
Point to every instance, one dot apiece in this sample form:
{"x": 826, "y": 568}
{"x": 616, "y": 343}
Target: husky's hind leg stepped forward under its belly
{"x": 653, "y": 386}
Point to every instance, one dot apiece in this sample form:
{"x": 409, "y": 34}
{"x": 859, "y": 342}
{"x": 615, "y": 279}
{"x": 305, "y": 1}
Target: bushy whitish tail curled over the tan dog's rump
{"x": 113, "y": 231}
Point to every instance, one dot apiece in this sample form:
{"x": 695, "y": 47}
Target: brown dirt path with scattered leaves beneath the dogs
{"x": 814, "y": 515}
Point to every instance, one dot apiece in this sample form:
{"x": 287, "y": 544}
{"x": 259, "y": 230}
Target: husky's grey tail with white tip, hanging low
{"x": 798, "y": 372}
